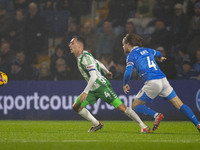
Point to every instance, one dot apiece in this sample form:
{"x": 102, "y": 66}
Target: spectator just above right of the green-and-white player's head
{"x": 90, "y": 37}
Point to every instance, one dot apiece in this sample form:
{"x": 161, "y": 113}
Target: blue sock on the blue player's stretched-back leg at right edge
{"x": 189, "y": 114}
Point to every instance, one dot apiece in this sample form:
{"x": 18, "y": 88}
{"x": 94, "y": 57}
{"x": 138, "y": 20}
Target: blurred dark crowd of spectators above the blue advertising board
{"x": 33, "y": 28}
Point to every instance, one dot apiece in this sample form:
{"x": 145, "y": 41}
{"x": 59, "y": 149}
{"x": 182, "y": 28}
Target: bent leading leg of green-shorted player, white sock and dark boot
{"x": 82, "y": 111}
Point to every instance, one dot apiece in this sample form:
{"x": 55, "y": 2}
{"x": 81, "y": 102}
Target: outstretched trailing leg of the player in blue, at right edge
{"x": 171, "y": 96}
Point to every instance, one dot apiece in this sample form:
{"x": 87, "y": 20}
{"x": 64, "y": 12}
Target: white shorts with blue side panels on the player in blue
{"x": 153, "y": 88}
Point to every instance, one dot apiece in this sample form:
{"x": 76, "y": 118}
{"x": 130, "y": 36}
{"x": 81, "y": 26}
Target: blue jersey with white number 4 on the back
{"x": 142, "y": 59}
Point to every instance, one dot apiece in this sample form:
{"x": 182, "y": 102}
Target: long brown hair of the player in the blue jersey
{"x": 133, "y": 39}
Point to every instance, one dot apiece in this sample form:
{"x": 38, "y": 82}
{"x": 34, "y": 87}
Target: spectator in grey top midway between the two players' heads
{"x": 106, "y": 40}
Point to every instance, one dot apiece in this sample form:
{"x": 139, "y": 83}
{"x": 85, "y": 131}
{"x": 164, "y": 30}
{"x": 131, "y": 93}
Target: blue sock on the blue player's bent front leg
{"x": 145, "y": 110}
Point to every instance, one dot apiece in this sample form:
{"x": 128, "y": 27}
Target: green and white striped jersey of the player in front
{"x": 86, "y": 63}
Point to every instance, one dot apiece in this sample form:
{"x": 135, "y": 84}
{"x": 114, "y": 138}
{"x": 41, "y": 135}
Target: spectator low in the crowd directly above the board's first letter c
{"x": 44, "y": 72}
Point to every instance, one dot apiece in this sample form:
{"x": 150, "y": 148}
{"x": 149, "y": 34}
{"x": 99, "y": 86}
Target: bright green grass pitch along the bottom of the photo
{"x": 116, "y": 135}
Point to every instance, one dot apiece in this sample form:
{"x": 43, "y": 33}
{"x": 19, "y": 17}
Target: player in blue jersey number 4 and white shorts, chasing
{"x": 156, "y": 83}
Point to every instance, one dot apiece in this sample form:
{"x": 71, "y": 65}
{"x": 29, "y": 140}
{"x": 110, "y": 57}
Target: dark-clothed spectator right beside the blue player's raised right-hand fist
{"x": 168, "y": 66}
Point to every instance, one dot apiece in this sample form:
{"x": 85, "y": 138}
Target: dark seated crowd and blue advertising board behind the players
{"x": 34, "y": 52}
